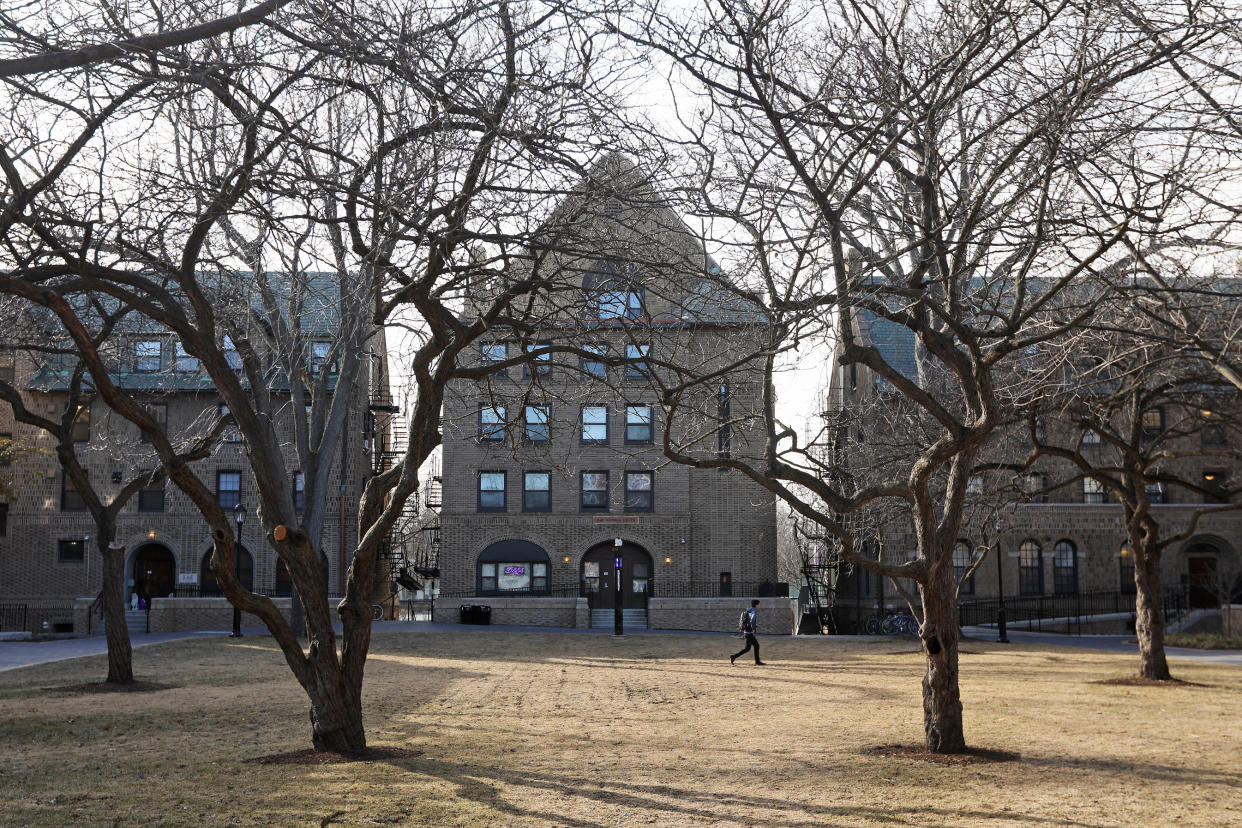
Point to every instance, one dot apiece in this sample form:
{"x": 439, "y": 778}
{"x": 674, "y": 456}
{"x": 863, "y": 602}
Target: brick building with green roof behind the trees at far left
{"x": 48, "y": 562}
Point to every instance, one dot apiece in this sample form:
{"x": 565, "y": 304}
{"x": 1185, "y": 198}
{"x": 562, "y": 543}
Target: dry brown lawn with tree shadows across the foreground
{"x": 499, "y": 729}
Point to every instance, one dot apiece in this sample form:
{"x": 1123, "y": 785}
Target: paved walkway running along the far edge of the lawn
{"x": 14, "y": 655}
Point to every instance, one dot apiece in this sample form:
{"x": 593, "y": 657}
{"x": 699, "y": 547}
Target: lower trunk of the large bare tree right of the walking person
{"x": 942, "y": 700}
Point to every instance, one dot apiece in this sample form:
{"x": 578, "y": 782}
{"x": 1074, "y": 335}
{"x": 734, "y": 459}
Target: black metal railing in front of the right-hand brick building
{"x": 1064, "y": 613}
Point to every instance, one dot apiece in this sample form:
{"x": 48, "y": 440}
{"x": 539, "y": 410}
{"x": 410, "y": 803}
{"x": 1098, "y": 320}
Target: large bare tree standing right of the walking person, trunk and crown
{"x": 923, "y": 187}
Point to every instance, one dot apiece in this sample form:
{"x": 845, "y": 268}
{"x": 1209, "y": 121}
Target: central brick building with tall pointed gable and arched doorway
{"x": 553, "y": 469}
